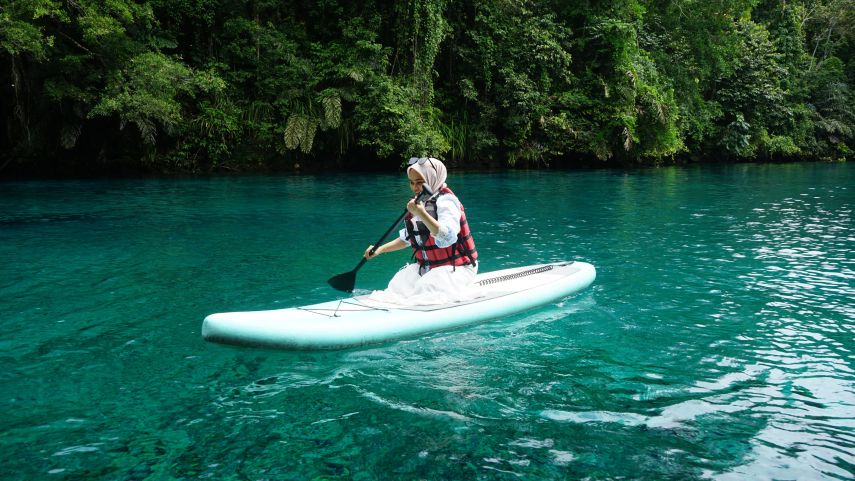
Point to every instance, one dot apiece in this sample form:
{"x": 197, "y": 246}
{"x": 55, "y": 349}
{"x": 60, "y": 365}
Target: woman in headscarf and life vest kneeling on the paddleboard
{"x": 446, "y": 259}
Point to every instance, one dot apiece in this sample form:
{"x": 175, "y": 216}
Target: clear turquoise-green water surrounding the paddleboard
{"x": 716, "y": 343}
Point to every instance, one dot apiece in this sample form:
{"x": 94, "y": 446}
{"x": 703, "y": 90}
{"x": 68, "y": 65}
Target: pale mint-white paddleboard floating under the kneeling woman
{"x": 358, "y": 320}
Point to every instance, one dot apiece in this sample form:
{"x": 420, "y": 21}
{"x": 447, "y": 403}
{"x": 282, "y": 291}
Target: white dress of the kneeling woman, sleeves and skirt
{"x": 440, "y": 285}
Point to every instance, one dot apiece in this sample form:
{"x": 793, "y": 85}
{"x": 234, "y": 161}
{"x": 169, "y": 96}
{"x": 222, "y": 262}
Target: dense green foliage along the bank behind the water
{"x": 225, "y": 84}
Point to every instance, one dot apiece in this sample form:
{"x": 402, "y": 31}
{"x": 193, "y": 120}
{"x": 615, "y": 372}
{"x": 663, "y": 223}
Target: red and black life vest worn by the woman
{"x": 427, "y": 253}
